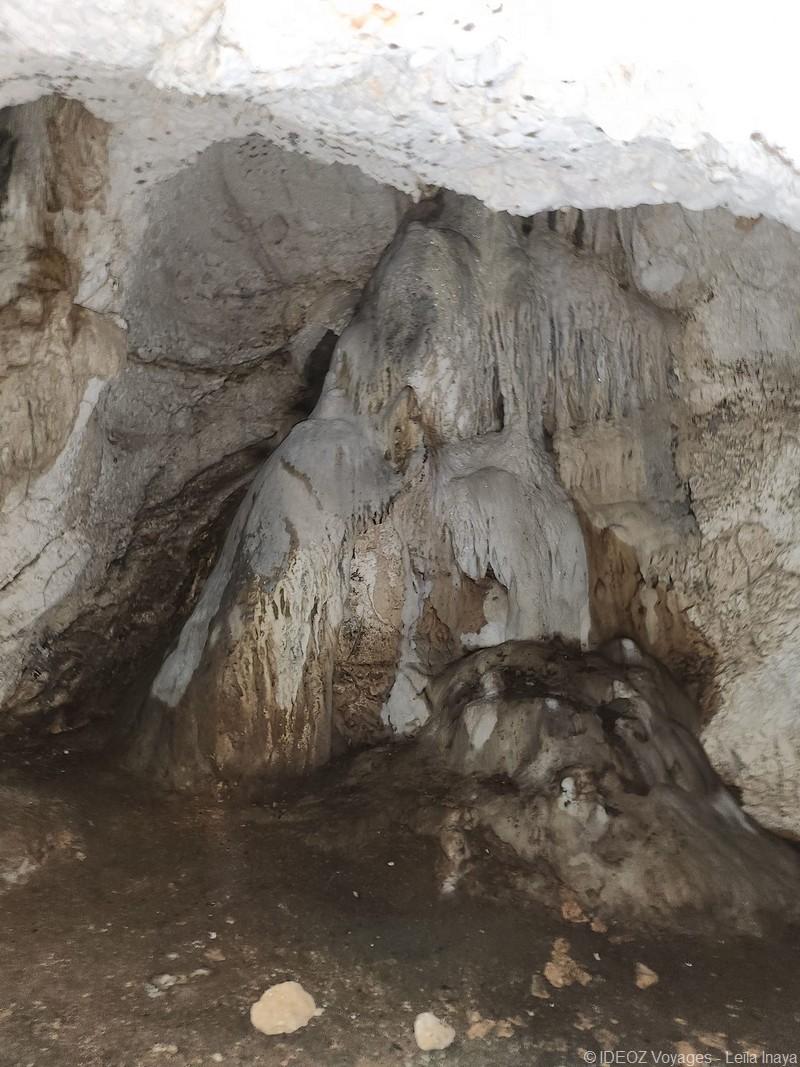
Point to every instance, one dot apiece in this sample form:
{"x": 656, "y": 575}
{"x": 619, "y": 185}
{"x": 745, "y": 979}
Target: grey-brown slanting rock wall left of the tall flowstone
{"x": 129, "y": 442}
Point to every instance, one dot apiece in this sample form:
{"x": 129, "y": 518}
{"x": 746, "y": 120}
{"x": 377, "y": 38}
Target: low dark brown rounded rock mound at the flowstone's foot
{"x": 587, "y": 767}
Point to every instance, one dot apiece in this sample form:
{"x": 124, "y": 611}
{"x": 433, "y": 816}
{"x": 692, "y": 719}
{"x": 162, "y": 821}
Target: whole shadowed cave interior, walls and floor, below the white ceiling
{"x": 397, "y": 597}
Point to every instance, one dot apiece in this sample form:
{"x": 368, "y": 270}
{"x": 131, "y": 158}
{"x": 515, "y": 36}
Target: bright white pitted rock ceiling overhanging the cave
{"x": 526, "y": 106}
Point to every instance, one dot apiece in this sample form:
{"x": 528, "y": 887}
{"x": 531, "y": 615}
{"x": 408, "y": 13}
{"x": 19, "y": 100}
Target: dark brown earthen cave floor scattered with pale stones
{"x": 230, "y": 900}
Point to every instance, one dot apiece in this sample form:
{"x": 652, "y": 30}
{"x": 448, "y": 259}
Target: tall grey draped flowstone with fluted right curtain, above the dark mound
{"x": 420, "y": 513}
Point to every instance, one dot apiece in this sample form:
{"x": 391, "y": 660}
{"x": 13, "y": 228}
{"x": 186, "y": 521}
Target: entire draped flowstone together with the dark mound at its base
{"x": 474, "y": 480}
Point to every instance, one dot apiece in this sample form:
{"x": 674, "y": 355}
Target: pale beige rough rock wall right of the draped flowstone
{"x": 713, "y": 593}
